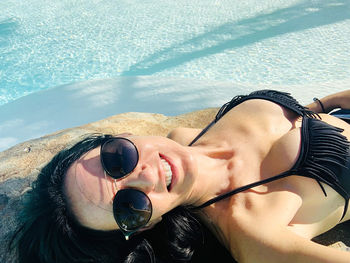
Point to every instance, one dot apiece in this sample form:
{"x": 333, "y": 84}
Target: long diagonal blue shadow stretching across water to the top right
{"x": 245, "y": 32}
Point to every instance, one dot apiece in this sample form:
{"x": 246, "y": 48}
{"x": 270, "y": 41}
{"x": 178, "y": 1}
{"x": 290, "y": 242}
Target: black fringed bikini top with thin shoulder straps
{"x": 324, "y": 154}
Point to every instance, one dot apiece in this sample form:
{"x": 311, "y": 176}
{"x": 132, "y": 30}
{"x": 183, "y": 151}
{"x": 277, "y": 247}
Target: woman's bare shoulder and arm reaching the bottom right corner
{"x": 269, "y": 238}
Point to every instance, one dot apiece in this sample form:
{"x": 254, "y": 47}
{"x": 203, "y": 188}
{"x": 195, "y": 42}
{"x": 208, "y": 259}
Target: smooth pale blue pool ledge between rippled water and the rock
{"x": 85, "y": 102}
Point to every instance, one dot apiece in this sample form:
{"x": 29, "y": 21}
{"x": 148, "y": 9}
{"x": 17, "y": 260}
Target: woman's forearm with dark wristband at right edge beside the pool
{"x": 330, "y": 102}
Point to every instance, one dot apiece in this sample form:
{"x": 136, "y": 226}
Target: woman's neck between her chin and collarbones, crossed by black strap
{"x": 216, "y": 165}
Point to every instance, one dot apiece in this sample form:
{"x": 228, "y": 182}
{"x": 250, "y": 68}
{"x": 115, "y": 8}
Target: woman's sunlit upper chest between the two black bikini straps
{"x": 264, "y": 142}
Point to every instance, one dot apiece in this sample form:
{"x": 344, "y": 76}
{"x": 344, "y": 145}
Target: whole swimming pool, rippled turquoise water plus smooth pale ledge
{"x": 82, "y": 61}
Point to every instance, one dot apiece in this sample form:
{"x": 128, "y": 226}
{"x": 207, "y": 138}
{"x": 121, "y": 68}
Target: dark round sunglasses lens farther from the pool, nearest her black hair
{"x": 132, "y": 209}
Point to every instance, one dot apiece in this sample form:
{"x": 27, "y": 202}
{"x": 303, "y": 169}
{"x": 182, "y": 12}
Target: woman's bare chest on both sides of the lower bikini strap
{"x": 271, "y": 146}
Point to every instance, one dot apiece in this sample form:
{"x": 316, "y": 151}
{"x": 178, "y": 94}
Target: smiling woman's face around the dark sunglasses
{"x": 91, "y": 192}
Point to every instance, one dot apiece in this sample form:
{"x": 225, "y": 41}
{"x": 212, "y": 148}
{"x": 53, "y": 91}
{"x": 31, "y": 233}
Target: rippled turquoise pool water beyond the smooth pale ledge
{"x": 44, "y": 44}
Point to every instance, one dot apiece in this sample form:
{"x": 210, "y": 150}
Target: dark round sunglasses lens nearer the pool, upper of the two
{"x": 119, "y": 157}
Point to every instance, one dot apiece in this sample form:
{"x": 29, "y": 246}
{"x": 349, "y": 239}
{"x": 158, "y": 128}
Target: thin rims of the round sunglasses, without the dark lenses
{"x": 127, "y": 233}
